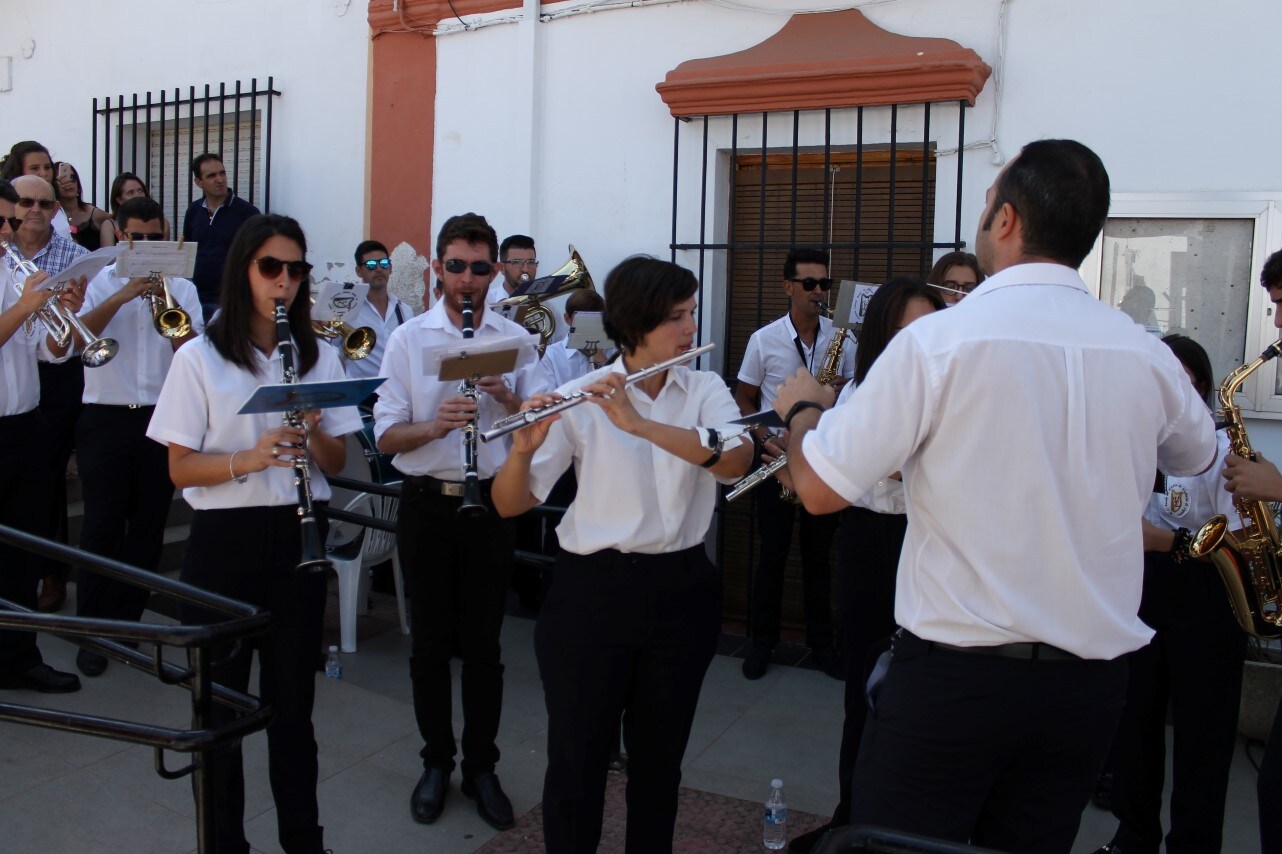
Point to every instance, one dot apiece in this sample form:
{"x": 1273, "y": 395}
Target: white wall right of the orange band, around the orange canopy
{"x": 1175, "y": 98}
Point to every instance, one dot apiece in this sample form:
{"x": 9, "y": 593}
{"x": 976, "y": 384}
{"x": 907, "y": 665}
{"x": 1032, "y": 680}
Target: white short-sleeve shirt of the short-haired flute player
{"x": 634, "y": 496}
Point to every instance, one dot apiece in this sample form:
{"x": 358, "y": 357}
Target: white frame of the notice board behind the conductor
{"x": 1257, "y": 398}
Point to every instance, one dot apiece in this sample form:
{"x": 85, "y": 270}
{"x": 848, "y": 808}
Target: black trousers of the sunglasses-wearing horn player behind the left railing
{"x": 128, "y": 492}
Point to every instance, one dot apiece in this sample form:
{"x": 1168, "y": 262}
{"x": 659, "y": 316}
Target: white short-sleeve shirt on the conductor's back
{"x": 1029, "y": 421}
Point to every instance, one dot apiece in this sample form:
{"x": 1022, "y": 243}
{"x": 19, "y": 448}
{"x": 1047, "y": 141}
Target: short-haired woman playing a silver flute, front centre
{"x": 634, "y": 612}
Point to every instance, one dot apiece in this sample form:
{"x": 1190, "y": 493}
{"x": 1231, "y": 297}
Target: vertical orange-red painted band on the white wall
{"x": 402, "y": 134}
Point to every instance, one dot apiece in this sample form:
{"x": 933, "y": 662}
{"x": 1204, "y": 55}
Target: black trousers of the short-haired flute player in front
{"x": 631, "y": 635}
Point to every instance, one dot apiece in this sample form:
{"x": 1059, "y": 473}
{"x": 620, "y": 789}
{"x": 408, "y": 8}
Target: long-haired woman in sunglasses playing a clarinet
{"x": 237, "y": 471}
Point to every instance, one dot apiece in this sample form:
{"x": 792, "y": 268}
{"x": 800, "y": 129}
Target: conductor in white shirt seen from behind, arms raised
{"x": 1028, "y": 423}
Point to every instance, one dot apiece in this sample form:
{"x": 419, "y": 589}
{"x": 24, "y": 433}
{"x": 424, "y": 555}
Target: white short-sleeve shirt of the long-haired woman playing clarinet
{"x": 198, "y": 410}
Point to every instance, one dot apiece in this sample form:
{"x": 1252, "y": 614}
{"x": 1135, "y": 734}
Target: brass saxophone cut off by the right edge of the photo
{"x": 1249, "y": 566}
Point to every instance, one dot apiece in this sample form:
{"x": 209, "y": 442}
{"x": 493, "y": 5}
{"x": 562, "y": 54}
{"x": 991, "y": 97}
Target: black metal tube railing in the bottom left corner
{"x": 103, "y": 637}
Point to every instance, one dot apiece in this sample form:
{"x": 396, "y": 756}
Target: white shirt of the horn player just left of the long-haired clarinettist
{"x": 138, "y": 373}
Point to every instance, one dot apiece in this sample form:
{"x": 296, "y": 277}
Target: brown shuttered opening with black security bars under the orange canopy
{"x": 858, "y": 183}
